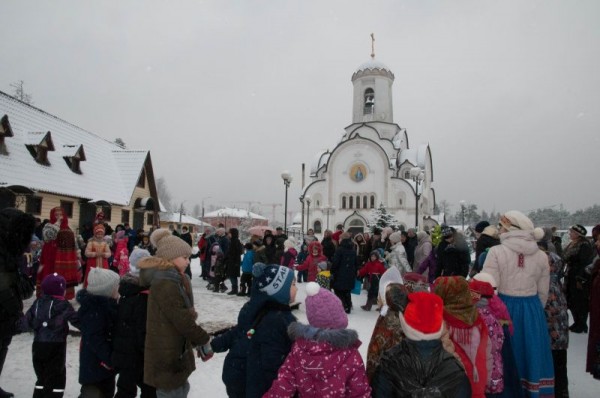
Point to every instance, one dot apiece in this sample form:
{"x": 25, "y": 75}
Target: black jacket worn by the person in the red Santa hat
{"x": 420, "y": 369}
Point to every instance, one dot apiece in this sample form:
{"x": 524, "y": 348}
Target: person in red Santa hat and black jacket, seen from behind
{"x": 419, "y": 366}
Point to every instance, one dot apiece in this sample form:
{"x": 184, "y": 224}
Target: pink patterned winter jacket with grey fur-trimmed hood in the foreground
{"x": 323, "y": 363}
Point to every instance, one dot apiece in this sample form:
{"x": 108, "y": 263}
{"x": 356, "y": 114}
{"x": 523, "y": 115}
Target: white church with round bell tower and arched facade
{"x": 371, "y": 165}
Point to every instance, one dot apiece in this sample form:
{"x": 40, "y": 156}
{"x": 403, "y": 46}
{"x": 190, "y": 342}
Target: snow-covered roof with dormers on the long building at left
{"x": 108, "y": 173}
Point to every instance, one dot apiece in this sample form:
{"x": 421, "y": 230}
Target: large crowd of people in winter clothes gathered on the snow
{"x": 447, "y": 325}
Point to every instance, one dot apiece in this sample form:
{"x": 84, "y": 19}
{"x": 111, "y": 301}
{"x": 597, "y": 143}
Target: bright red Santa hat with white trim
{"x": 423, "y": 316}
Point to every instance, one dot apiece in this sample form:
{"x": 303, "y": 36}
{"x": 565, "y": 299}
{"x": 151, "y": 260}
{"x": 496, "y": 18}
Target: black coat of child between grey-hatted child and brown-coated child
{"x": 130, "y": 327}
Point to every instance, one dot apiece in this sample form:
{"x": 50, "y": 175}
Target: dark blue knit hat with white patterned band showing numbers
{"x": 274, "y": 281}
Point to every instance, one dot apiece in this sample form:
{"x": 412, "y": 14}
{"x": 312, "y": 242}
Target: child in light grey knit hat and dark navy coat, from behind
{"x": 97, "y": 316}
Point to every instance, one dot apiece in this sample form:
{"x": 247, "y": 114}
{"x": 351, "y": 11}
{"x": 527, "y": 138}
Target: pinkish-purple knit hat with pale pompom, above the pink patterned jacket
{"x": 324, "y": 309}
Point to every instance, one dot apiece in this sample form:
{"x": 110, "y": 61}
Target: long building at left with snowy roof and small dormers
{"x": 47, "y": 162}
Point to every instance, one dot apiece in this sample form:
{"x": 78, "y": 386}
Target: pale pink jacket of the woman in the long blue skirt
{"x": 519, "y": 267}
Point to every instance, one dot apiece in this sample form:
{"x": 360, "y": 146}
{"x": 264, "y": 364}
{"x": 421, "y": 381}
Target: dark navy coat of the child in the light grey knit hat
{"x": 97, "y": 317}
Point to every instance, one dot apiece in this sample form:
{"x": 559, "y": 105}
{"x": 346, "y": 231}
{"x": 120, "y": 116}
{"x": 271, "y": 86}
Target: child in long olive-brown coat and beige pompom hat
{"x": 171, "y": 329}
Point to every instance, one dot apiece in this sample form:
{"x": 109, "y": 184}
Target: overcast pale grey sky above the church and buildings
{"x": 227, "y": 94}
